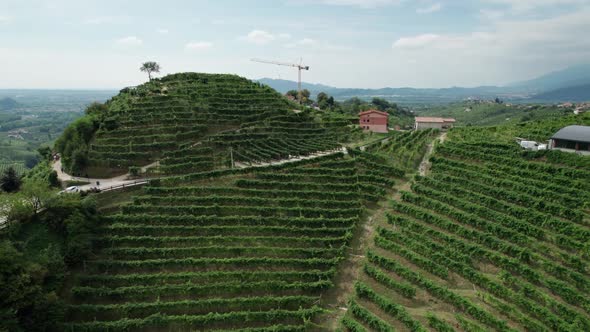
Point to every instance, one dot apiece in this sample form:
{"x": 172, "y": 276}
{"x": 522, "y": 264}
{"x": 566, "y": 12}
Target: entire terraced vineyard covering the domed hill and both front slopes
{"x": 490, "y": 239}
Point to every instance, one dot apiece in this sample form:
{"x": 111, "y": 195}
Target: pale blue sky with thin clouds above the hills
{"x": 87, "y": 44}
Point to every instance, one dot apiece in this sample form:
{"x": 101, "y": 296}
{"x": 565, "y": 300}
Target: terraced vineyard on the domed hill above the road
{"x": 196, "y": 122}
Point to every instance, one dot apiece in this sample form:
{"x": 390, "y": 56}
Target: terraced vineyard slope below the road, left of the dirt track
{"x": 244, "y": 249}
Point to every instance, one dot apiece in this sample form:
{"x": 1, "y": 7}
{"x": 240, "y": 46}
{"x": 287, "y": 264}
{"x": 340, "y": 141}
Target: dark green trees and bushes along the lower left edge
{"x": 42, "y": 235}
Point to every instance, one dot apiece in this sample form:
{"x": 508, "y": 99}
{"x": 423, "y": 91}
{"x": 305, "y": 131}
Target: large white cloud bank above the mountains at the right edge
{"x": 509, "y": 49}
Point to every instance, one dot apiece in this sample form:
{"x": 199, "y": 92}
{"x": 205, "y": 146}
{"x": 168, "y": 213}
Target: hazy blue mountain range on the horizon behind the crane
{"x": 570, "y": 84}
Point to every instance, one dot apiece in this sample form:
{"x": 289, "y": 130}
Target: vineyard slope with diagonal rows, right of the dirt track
{"x": 487, "y": 241}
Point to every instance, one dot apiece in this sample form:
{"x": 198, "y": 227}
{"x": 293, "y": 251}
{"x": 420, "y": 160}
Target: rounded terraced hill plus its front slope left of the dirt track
{"x": 214, "y": 247}
